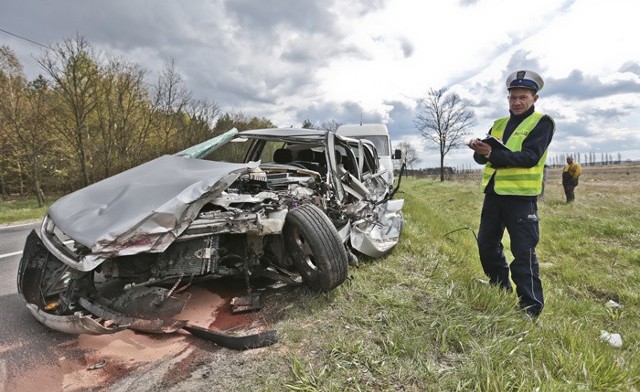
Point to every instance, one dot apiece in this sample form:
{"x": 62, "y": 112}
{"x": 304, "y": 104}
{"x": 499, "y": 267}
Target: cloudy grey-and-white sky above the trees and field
{"x": 347, "y": 60}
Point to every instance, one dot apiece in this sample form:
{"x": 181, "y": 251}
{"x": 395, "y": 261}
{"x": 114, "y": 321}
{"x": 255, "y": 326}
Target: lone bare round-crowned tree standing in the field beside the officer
{"x": 443, "y": 120}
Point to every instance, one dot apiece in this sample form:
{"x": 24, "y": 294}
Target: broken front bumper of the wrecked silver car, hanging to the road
{"x": 93, "y": 318}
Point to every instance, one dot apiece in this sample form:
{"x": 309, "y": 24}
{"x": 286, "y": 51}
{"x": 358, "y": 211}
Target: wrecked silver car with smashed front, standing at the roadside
{"x": 294, "y": 205}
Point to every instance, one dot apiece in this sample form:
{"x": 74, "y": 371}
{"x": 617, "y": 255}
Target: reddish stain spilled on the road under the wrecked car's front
{"x": 124, "y": 352}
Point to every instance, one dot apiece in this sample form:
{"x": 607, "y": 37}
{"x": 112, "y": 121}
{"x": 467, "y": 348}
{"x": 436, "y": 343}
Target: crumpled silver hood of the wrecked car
{"x": 144, "y": 208}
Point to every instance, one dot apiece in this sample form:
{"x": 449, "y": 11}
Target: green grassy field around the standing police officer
{"x": 421, "y": 319}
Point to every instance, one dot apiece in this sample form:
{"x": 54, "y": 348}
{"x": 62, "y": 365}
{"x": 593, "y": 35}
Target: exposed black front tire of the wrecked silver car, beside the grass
{"x": 315, "y": 248}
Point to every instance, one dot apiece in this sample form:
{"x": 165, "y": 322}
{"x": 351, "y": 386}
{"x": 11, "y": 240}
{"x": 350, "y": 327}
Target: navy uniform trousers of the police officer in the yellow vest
{"x": 519, "y": 215}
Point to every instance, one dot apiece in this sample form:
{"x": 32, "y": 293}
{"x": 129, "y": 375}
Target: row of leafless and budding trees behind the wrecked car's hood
{"x": 90, "y": 116}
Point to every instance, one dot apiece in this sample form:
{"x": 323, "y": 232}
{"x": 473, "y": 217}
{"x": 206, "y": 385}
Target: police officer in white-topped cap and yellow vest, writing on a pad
{"x": 512, "y": 181}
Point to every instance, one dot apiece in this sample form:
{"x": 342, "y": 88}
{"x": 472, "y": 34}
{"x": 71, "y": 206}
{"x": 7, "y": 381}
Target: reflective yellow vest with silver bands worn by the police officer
{"x": 517, "y": 181}
